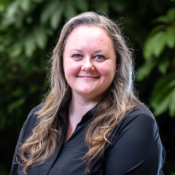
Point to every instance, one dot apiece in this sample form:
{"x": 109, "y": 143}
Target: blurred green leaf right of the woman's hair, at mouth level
{"x": 145, "y": 70}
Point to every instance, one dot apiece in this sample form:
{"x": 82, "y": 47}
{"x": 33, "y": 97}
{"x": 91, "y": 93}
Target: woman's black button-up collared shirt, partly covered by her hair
{"x": 136, "y": 147}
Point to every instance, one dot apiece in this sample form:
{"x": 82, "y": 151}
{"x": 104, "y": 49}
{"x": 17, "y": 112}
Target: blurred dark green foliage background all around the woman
{"x": 29, "y": 30}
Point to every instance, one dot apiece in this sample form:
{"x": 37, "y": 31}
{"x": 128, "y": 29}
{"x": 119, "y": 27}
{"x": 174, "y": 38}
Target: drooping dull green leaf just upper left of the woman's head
{"x": 57, "y": 16}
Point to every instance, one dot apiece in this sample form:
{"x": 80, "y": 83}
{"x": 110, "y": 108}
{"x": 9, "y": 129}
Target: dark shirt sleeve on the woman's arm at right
{"x": 137, "y": 149}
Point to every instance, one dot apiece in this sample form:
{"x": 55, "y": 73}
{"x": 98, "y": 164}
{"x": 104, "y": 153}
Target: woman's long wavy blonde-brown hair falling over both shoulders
{"x": 119, "y": 100}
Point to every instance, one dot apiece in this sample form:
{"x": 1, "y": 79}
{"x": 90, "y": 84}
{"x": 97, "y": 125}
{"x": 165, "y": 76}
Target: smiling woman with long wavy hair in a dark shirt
{"x": 91, "y": 121}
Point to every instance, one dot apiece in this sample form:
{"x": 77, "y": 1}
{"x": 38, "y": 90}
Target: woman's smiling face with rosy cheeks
{"x": 89, "y": 61}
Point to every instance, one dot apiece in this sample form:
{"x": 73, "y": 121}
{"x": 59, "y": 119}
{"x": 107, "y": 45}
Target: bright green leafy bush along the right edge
{"x": 159, "y": 53}
